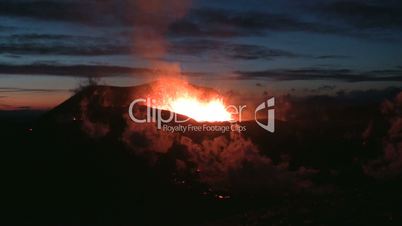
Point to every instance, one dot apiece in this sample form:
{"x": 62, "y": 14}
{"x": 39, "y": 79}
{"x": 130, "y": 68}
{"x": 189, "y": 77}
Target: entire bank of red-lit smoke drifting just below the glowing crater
{"x": 228, "y": 161}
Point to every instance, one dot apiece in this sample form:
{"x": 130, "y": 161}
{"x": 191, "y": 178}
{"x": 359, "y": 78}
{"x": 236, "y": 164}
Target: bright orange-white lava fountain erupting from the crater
{"x": 199, "y": 104}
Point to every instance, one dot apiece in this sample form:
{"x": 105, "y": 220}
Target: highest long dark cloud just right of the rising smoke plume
{"x": 232, "y": 23}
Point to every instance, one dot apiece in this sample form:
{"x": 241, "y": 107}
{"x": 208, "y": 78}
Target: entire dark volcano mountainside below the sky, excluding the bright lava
{"x": 86, "y": 162}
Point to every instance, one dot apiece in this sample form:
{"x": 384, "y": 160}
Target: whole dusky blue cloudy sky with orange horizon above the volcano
{"x": 48, "y": 47}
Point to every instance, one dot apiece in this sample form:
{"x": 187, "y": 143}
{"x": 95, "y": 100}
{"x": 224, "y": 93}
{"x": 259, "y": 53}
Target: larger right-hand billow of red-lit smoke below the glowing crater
{"x": 235, "y": 162}
